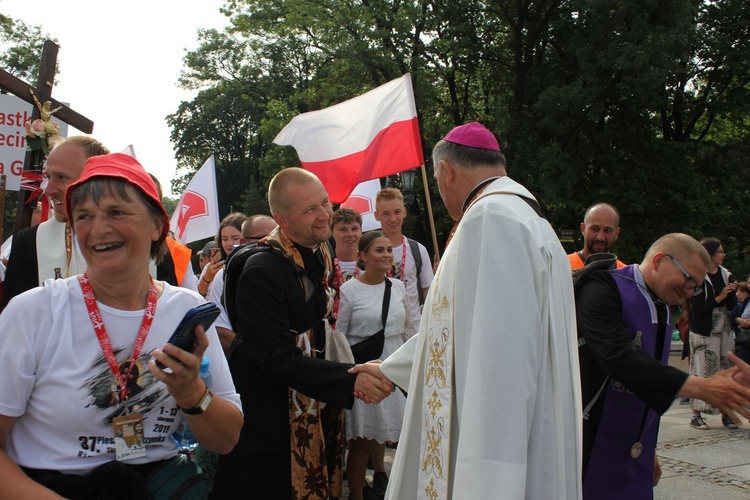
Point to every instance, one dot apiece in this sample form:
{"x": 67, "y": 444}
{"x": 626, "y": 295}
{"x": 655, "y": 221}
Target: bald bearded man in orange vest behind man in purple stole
{"x": 600, "y": 229}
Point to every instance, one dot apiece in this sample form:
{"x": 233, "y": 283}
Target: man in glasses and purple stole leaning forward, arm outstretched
{"x": 625, "y": 328}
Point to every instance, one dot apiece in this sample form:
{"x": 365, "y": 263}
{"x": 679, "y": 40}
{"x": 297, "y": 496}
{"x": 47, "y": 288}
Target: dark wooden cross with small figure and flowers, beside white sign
{"x": 43, "y": 91}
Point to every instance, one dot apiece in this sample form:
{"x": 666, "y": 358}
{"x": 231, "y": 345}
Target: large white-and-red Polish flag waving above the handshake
{"x": 373, "y": 135}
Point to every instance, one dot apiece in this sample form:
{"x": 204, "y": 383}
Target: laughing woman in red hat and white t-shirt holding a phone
{"x": 69, "y": 426}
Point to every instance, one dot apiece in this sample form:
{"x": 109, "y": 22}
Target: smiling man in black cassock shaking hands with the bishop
{"x": 283, "y": 294}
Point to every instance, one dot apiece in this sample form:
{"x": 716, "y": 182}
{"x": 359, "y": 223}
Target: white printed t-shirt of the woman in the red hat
{"x": 58, "y": 386}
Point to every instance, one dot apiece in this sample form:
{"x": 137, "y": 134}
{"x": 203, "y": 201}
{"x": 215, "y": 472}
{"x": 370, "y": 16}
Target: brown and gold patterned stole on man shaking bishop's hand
{"x": 317, "y": 472}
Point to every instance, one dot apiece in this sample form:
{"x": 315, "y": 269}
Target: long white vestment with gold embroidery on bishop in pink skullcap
{"x": 494, "y": 406}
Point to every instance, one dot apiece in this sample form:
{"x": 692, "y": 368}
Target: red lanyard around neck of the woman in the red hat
{"x": 101, "y": 332}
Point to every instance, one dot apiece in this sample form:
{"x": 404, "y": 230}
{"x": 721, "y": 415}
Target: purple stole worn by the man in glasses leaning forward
{"x": 612, "y": 471}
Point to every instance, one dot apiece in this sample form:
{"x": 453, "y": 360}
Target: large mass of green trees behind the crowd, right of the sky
{"x": 642, "y": 104}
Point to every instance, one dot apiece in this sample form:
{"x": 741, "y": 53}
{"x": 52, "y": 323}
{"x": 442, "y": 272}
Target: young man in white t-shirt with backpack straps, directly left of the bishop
{"x": 391, "y": 212}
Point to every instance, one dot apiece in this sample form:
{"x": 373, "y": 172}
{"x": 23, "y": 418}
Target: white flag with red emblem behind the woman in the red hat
{"x": 197, "y": 214}
